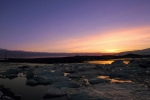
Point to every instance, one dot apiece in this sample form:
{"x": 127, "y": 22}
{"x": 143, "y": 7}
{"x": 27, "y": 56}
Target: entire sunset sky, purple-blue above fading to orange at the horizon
{"x": 75, "y": 25}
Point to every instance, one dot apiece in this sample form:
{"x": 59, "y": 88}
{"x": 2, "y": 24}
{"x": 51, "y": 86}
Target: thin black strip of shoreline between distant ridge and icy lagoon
{"x": 73, "y": 59}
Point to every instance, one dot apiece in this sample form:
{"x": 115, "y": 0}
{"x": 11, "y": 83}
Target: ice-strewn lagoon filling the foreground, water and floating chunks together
{"x": 86, "y": 81}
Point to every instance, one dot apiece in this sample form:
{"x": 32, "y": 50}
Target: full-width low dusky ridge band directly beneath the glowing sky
{"x": 4, "y": 53}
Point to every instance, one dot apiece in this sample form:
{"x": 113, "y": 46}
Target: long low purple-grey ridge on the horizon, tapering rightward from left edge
{"x": 25, "y": 54}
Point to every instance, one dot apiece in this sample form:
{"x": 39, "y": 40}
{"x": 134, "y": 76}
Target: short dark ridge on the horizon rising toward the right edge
{"x": 137, "y": 52}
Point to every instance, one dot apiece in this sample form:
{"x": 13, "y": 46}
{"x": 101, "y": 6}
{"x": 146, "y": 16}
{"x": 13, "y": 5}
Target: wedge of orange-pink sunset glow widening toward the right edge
{"x": 111, "y": 41}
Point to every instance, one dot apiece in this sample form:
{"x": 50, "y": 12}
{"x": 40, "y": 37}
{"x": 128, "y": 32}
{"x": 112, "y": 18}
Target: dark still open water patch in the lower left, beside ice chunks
{"x": 19, "y": 87}
